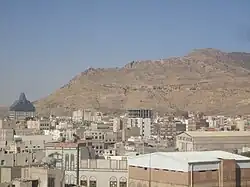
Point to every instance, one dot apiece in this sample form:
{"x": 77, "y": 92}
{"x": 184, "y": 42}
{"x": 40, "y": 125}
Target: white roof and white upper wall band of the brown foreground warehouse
{"x": 181, "y": 161}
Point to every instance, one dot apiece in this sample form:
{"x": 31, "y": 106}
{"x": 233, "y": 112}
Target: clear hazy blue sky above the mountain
{"x": 44, "y": 43}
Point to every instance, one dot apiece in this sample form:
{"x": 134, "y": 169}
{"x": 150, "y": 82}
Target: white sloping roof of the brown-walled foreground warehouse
{"x": 179, "y": 161}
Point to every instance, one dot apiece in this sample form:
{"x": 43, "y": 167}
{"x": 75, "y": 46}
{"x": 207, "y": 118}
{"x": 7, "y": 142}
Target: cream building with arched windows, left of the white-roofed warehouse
{"x": 90, "y": 172}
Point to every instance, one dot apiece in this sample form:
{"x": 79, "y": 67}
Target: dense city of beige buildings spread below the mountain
{"x": 137, "y": 149}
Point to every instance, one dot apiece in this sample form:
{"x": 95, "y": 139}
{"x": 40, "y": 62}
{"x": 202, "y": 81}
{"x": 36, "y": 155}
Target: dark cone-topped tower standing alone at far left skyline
{"x": 21, "y": 109}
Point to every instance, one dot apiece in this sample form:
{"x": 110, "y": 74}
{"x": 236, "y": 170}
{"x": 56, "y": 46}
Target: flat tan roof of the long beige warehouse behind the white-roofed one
{"x": 217, "y": 133}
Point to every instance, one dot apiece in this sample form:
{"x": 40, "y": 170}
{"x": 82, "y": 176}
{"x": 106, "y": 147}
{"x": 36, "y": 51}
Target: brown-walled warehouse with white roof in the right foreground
{"x": 182, "y": 169}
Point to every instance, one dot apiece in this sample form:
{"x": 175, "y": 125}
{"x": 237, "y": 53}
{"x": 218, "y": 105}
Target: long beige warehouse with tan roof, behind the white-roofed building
{"x": 213, "y": 140}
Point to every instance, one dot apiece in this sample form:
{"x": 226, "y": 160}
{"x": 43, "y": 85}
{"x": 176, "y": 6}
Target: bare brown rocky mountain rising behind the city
{"x": 205, "y": 80}
